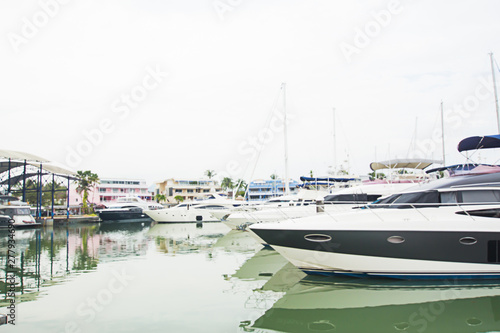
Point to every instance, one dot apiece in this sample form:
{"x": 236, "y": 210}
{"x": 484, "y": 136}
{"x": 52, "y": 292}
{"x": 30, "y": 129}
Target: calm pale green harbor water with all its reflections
{"x": 206, "y": 278}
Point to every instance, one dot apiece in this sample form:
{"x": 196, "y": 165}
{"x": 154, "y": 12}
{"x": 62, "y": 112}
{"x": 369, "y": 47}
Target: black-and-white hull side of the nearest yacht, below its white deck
{"x": 369, "y": 253}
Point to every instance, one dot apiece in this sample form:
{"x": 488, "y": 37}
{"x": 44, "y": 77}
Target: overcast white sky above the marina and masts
{"x": 69, "y": 66}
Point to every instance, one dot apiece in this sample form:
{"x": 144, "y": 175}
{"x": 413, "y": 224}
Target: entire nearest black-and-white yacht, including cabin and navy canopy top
{"x": 446, "y": 228}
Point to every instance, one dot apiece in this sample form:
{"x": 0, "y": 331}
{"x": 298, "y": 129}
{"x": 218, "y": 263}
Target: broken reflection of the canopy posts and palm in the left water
{"x": 45, "y": 257}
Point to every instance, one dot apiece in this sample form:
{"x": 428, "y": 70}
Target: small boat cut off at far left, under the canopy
{"x": 15, "y": 212}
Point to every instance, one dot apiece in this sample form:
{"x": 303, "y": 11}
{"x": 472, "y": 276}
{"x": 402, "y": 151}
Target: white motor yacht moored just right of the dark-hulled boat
{"x": 195, "y": 211}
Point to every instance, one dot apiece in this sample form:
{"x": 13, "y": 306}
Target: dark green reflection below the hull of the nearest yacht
{"x": 344, "y": 305}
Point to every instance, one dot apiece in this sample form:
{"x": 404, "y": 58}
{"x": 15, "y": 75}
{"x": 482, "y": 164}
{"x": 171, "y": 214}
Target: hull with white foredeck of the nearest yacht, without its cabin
{"x": 404, "y": 243}
